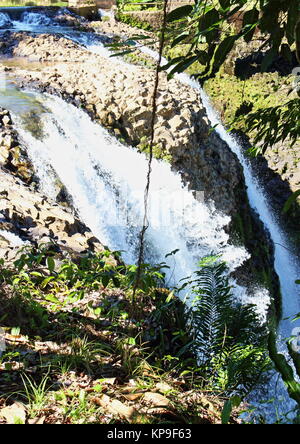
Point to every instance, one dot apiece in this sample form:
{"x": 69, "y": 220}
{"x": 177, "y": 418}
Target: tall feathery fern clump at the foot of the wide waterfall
{"x": 227, "y": 336}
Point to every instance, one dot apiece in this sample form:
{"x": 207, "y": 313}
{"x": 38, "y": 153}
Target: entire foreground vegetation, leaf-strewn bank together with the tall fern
{"x": 80, "y": 349}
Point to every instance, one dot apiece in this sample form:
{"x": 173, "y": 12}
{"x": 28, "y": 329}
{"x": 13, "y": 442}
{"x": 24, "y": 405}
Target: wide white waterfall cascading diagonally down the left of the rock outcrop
{"x": 97, "y": 172}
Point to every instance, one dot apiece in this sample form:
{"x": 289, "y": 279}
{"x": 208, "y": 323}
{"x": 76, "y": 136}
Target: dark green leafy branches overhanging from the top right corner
{"x": 205, "y": 24}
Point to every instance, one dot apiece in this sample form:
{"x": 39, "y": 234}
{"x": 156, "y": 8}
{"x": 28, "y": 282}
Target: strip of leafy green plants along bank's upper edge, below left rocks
{"x": 36, "y": 270}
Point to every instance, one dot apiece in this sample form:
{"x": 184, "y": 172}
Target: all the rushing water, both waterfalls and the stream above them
{"x": 97, "y": 172}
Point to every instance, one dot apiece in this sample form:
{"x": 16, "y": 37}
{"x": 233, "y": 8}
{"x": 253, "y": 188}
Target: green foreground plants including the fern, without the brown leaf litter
{"x": 154, "y": 336}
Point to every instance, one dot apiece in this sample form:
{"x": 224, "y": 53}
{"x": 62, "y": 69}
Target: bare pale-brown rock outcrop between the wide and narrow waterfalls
{"x": 119, "y": 96}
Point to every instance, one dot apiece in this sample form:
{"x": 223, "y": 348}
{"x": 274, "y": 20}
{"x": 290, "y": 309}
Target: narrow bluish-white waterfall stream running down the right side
{"x": 286, "y": 263}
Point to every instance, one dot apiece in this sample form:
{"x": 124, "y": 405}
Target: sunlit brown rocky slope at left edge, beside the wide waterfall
{"x": 27, "y": 214}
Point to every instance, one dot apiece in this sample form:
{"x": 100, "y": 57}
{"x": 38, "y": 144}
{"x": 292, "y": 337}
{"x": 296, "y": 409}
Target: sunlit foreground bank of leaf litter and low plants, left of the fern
{"x": 98, "y": 358}
